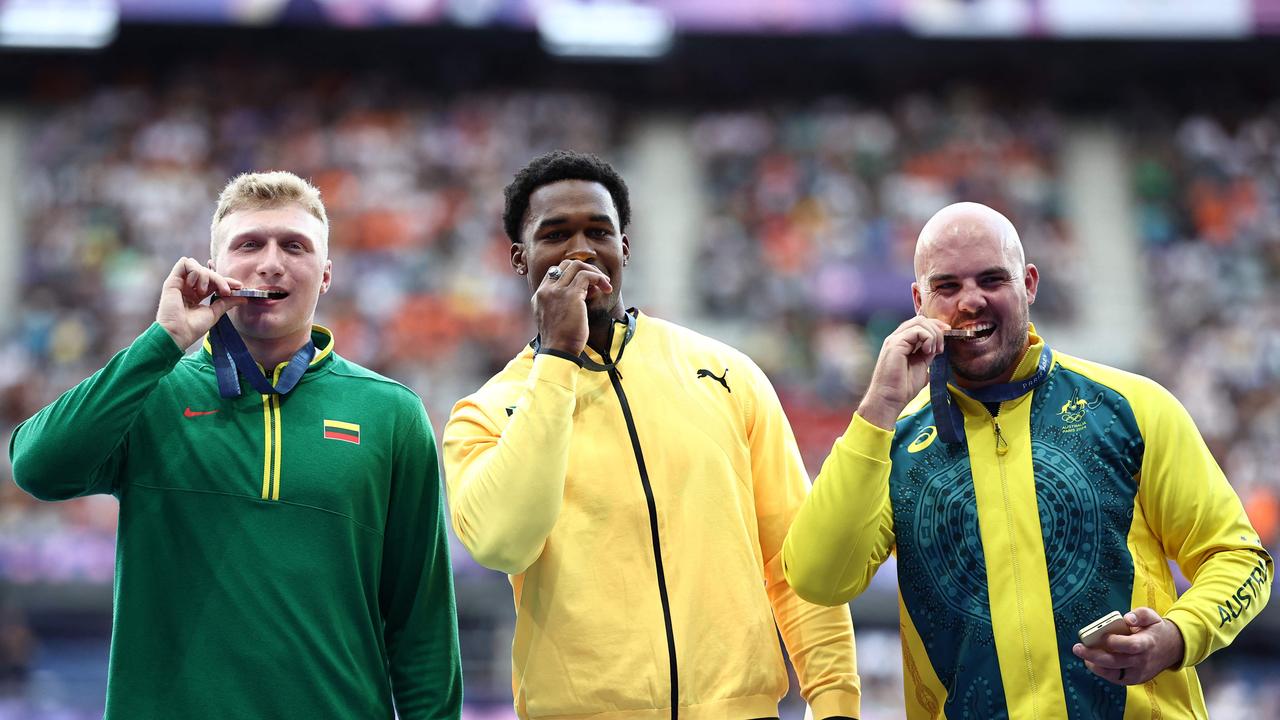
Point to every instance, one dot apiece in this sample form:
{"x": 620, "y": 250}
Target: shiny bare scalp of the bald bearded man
{"x": 958, "y": 226}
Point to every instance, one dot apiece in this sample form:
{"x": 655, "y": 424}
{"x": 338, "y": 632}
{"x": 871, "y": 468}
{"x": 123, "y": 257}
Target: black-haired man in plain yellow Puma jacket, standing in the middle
{"x": 639, "y": 503}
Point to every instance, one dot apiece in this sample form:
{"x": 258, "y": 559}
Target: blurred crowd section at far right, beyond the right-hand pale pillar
{"x": 1209, "y": 212}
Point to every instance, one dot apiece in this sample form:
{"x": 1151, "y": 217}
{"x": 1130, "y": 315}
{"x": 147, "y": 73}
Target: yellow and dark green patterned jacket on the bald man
{"x": 1060, "y": 508}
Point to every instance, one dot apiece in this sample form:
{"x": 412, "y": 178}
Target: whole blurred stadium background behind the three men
{"x": 783, "y": 157}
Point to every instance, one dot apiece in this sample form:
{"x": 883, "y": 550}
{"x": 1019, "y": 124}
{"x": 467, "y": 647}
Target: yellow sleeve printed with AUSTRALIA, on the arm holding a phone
{"x": 1203, "y": 525}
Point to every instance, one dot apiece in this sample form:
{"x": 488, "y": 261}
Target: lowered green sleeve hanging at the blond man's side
{"x": 420, "y": 621}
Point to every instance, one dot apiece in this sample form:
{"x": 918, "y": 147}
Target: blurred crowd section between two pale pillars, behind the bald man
{"x": 813, "y": 217}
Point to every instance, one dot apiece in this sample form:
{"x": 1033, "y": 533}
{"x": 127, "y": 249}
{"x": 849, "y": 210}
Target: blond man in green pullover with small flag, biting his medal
{"x": 280, "y": 554}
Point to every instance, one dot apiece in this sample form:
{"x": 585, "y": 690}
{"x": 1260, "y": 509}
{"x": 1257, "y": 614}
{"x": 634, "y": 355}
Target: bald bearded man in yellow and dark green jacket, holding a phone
{"x": 1030, "y": 499}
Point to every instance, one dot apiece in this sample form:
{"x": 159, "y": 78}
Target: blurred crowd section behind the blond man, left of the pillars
{"x": 120, "y": 183}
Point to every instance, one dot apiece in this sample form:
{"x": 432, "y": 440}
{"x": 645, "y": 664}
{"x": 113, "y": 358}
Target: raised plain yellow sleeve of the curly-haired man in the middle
{"x": 508, "y": 485}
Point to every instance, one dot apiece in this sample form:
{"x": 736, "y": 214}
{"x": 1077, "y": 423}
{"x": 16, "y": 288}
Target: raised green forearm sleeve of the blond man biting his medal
{"x": 77, "y": 445}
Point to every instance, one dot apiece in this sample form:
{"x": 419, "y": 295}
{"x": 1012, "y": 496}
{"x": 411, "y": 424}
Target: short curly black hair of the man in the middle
{"x": 561, "y": 166}
